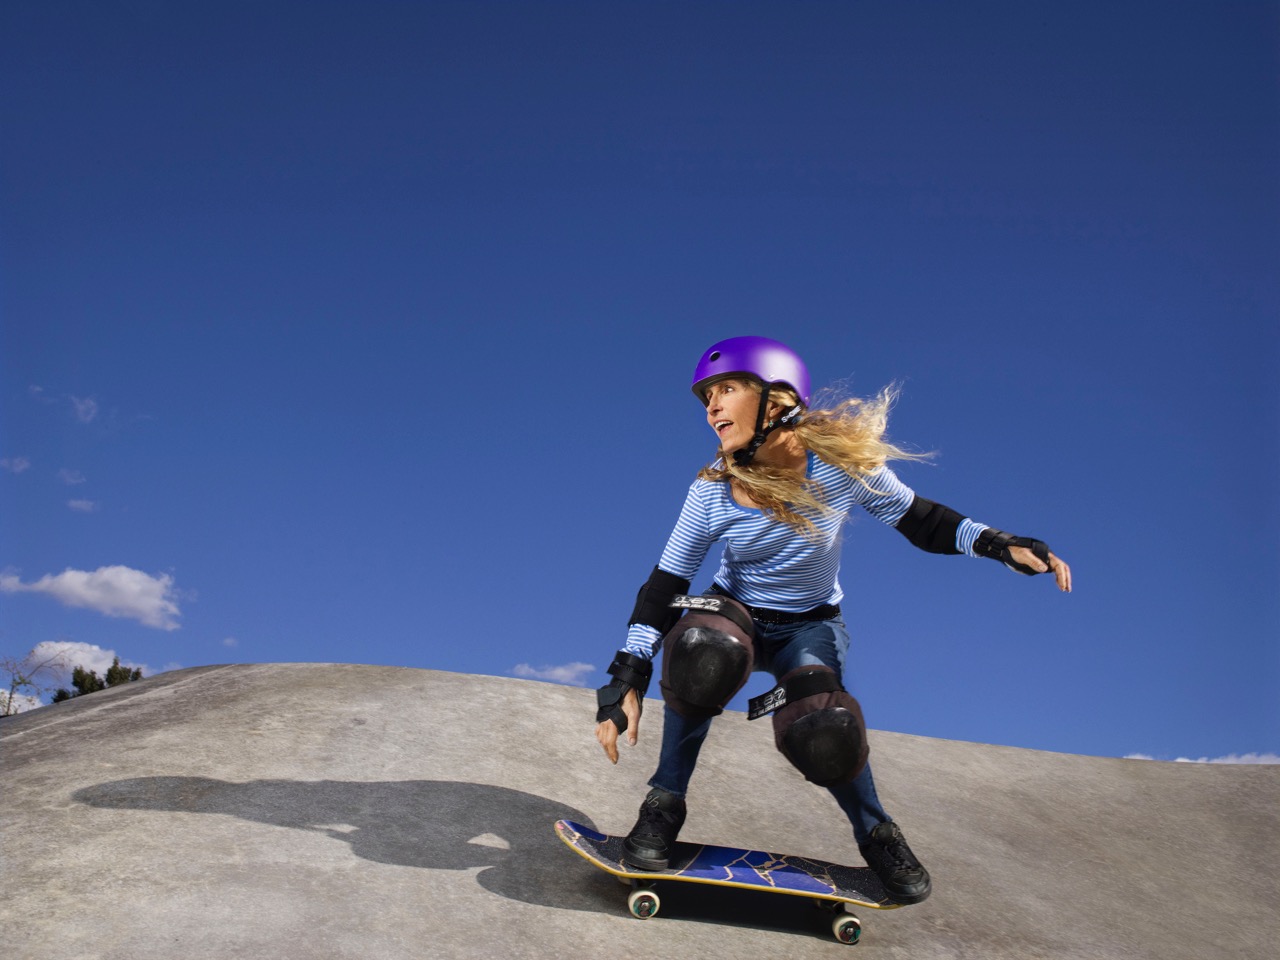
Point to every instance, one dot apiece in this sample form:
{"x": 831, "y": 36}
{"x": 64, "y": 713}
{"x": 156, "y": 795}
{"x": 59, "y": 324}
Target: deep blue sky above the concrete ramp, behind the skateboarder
{"x": 363, "y": 332}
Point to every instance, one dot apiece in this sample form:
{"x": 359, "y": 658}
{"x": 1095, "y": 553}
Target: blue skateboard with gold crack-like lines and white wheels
{"x": 830, "y": 885}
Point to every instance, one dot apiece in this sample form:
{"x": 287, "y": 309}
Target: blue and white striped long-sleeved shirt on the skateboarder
{"x": 770, "y": 564}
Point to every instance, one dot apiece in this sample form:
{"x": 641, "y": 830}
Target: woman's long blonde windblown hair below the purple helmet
{"x": 847, "y": 433}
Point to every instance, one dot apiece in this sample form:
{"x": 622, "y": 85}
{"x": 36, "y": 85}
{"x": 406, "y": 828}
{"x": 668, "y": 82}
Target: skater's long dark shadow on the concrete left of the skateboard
{"x": 428, "y": 825}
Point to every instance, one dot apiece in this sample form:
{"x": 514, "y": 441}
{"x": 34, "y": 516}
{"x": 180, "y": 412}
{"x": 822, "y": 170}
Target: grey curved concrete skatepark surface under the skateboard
{"x": 321, "y": 811}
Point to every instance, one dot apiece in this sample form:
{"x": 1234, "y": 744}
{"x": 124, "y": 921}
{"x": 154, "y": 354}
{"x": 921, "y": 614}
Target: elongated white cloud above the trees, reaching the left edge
{"x": 113, "y": 592}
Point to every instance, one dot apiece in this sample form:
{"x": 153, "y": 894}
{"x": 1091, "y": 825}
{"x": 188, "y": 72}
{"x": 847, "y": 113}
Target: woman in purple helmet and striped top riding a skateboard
{"x": 778, "y": 495}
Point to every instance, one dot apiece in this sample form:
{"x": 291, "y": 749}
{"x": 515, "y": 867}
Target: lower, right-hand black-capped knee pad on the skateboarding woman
{"x": 821, "y": 729}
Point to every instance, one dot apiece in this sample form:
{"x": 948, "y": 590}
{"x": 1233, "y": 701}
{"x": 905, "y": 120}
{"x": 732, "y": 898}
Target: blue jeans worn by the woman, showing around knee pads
{"x": 780, "y": 648}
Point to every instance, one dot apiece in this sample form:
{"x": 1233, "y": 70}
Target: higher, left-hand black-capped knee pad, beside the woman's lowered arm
{"x": 707, "y": 659}
